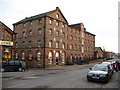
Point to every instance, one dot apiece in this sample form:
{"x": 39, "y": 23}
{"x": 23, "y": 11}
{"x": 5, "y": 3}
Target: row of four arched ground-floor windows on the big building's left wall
{"x": 30, "y": 55}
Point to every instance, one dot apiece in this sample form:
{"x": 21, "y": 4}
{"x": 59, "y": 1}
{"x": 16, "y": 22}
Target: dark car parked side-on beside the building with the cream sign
{"x": 14, "y": 65}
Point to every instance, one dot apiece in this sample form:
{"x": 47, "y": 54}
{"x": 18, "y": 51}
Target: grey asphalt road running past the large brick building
{"x": 65, "y": 77}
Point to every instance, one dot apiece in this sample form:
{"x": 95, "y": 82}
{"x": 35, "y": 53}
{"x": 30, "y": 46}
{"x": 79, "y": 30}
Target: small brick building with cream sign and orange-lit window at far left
{"x": 6, "y": 42}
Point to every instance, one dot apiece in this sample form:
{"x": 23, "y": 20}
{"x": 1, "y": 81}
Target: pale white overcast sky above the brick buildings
{"x": 99, "y": 17}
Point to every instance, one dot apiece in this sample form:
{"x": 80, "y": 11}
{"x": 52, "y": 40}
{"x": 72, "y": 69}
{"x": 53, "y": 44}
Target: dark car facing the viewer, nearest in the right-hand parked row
{"x": 99, "y": 72}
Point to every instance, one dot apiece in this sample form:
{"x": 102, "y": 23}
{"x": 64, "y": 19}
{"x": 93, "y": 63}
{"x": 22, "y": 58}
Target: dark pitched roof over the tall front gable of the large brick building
{"x": 39, "y": 16}
